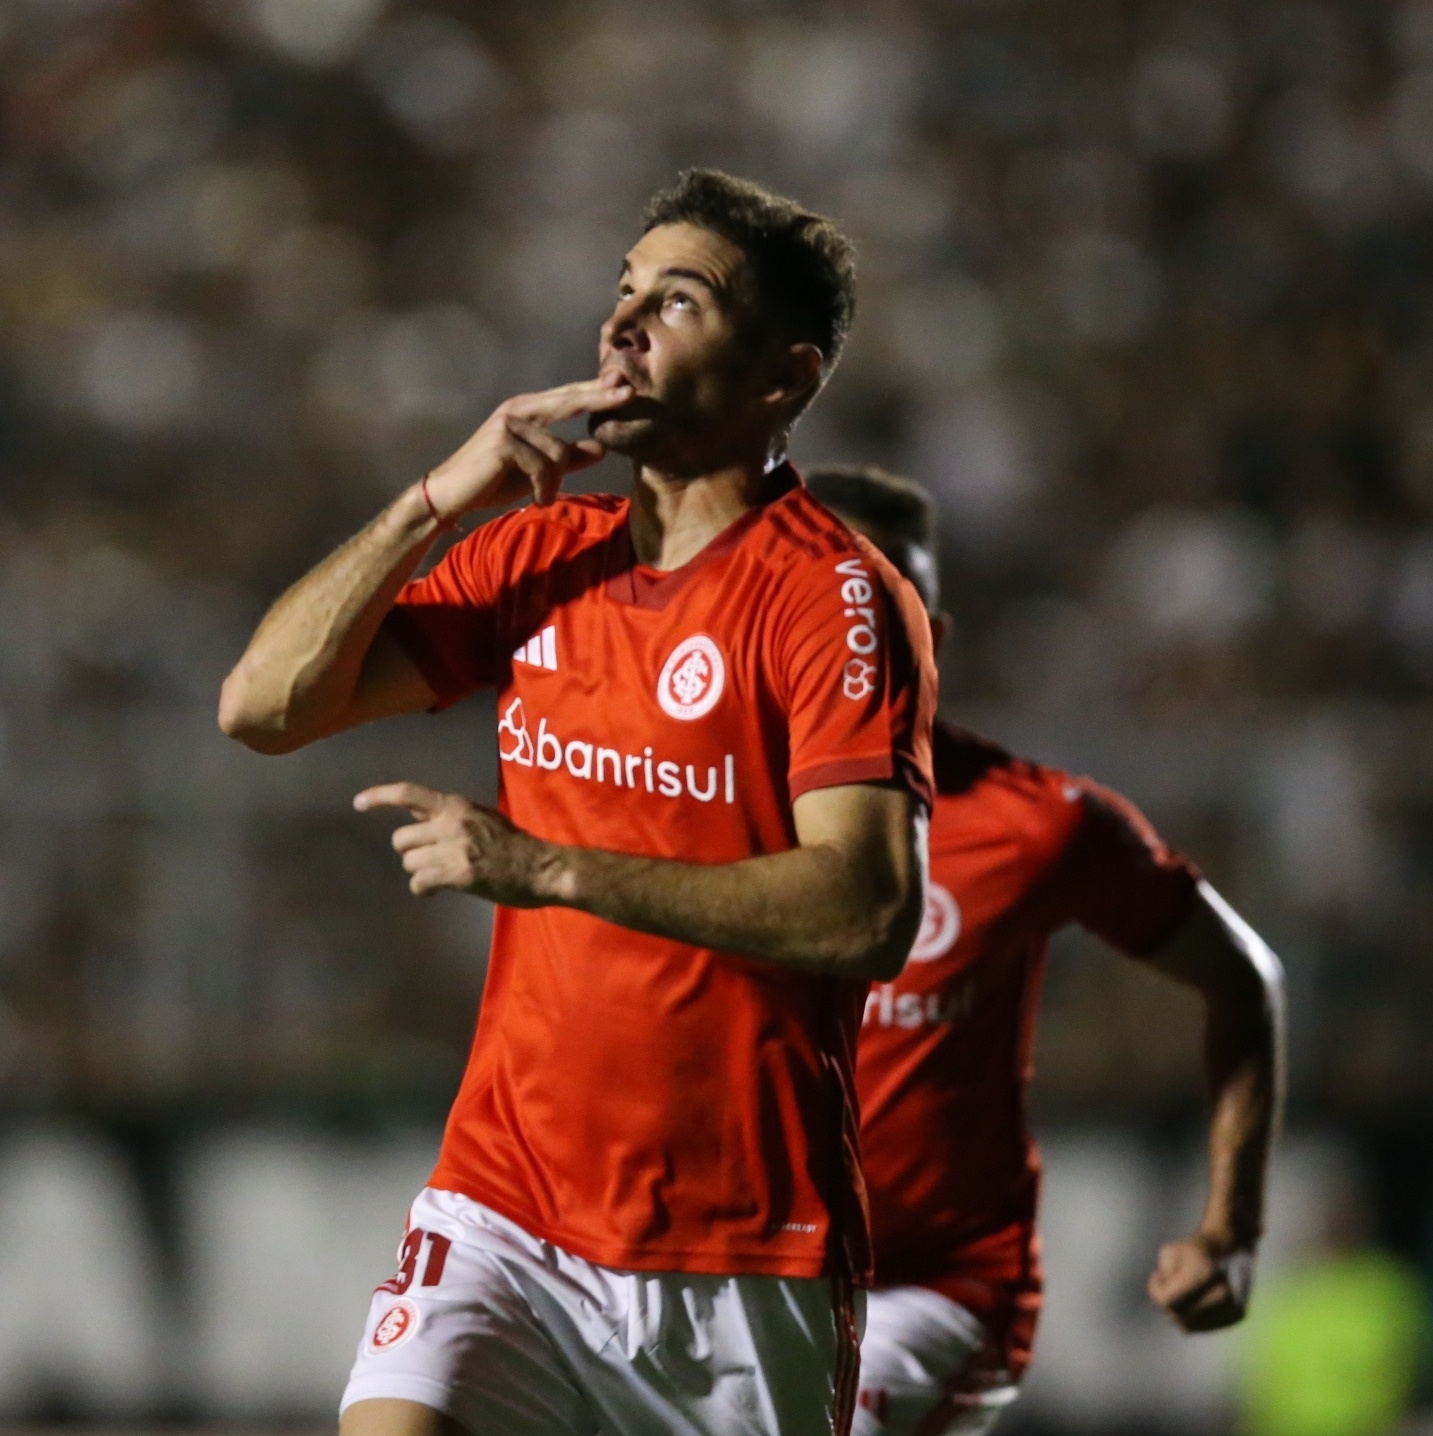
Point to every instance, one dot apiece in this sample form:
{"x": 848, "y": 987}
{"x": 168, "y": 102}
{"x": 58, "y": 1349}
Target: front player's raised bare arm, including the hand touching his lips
{"x": 321, "y": 660}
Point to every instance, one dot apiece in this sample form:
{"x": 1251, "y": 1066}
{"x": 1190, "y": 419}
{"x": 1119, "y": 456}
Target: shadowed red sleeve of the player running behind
{"x": 1121, "y": 880}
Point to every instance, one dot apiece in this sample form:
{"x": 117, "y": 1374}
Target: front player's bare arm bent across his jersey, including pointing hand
{"x": 846, "y": 901}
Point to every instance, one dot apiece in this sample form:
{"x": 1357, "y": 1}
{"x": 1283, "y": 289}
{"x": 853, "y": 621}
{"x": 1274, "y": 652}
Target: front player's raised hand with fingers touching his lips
{"x": 515, "y": 452}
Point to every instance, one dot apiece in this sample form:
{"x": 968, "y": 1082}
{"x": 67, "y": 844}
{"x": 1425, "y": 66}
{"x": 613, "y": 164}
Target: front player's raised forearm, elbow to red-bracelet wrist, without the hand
{"x": 304, "y": 663}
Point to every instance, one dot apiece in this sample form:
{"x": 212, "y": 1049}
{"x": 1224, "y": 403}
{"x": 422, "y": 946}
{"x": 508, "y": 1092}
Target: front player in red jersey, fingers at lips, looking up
{"x": 714, "y": 710}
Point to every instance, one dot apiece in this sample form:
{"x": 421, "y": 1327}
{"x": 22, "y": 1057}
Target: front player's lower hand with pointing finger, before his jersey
{"x": 460, "y": 845}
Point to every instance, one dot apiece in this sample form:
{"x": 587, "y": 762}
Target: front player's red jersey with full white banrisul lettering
{"x": 640, "y": 1102}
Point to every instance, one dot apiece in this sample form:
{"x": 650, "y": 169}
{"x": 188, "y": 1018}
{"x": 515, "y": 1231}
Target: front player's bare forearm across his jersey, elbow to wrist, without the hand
{"x": 811, "y": 908}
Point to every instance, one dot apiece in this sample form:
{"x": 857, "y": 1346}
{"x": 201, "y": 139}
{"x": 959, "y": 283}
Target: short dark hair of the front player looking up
{"x": 803, "y": 268}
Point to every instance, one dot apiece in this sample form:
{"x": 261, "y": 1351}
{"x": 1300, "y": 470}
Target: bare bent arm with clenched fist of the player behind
{"x": 1204, "y": 1280}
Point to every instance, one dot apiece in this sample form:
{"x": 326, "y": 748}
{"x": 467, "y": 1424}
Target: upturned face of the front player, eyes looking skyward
{"x": 683, "y": 335}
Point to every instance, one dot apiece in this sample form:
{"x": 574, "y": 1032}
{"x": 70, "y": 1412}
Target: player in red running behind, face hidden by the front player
{"x": 1017, "y": 851}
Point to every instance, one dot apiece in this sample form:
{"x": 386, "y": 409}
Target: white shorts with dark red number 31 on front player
{"x": 513, "y": 1336}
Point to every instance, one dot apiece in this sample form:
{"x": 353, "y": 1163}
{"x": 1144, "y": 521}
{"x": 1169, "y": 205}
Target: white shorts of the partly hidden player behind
{"x": 918, "y": 1369}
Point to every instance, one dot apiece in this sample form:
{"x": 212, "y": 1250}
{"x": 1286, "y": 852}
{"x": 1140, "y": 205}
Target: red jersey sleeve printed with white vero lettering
{"x": 856, "y": 674}
